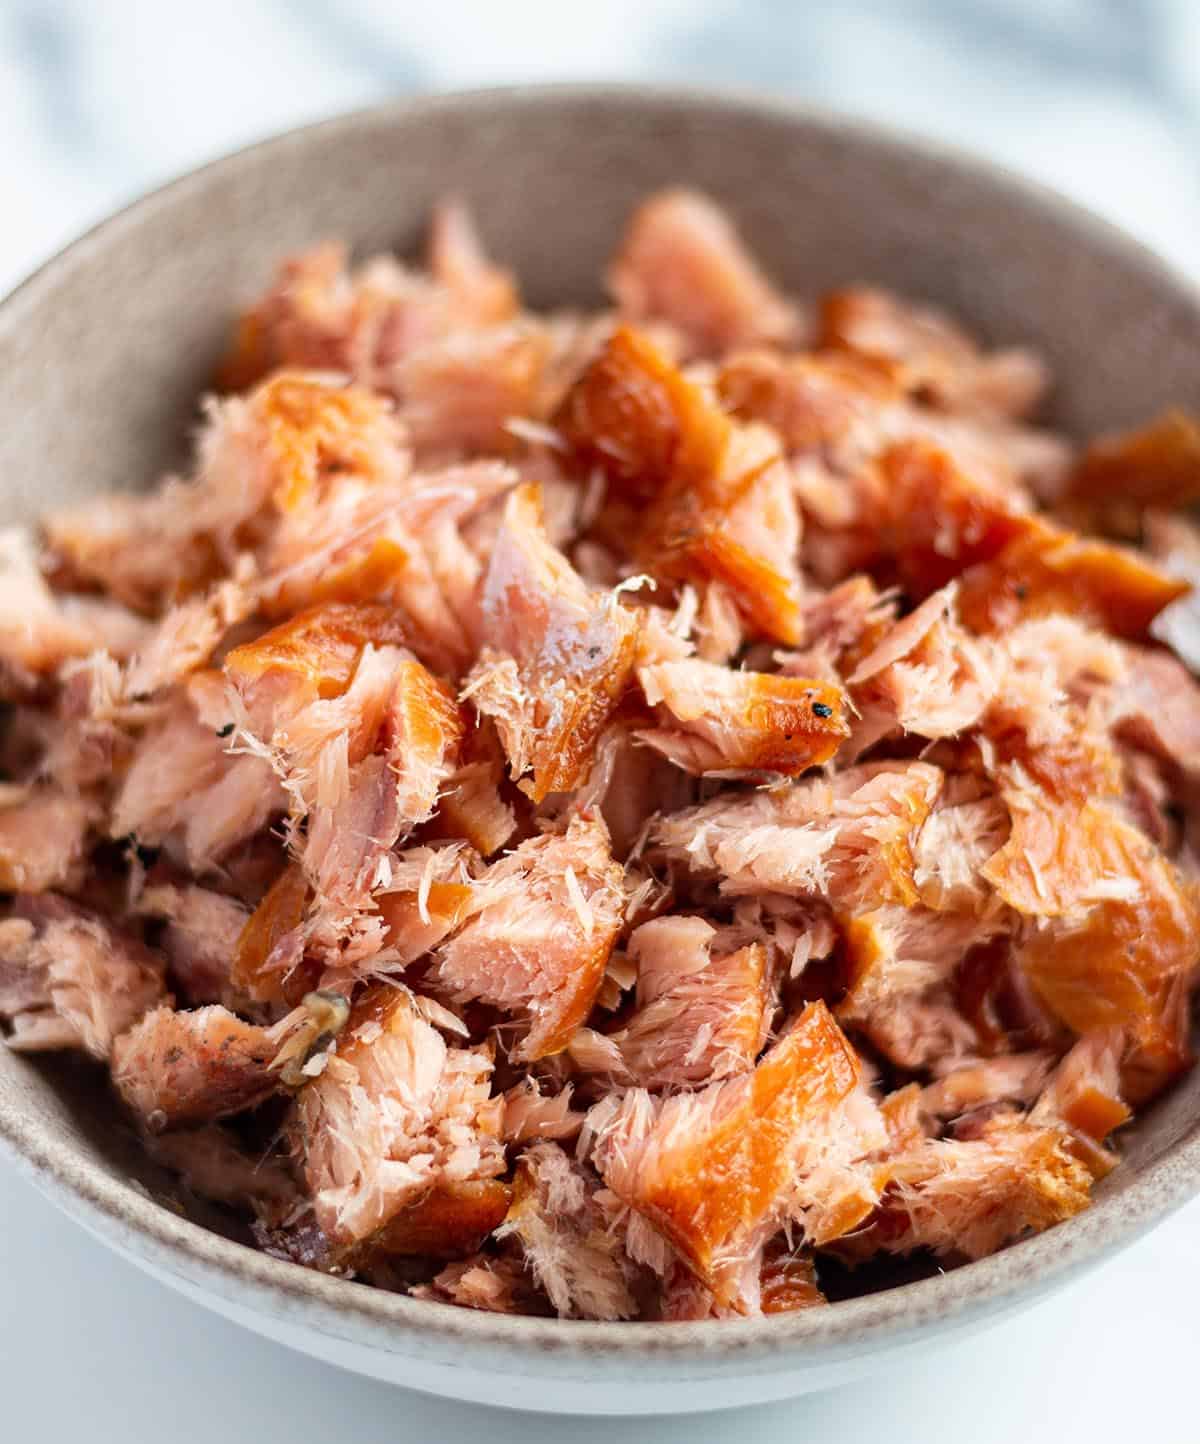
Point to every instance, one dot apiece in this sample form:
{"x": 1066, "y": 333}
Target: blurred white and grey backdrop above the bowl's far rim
{"x": 102, "y": 99}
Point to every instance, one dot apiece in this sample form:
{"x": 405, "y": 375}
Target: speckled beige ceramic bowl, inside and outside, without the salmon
{"x": 103, "y": 356}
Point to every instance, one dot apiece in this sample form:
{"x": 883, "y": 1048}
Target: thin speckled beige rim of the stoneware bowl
{"x": 126, "y": 1217}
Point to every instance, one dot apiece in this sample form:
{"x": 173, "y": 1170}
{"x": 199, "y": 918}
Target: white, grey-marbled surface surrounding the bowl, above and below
{"x": 99, "y": 100}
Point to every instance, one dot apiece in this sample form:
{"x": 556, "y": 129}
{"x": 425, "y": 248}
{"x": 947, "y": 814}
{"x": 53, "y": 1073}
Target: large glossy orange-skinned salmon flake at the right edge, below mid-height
{"x": 1120, "y": 961}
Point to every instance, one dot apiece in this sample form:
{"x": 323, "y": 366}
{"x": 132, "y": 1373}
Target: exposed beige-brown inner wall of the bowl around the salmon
{"x": 106, "y": 352}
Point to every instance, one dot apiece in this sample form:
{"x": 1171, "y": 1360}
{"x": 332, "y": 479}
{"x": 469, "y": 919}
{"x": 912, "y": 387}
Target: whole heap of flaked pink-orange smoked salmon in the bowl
{"x": 614, "y": 815}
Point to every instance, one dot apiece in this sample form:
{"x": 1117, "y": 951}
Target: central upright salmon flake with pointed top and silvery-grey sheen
{"x": 557, "y": 658}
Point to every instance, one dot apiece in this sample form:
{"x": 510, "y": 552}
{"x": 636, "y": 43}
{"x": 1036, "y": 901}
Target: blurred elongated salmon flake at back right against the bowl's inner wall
{"x": 929, "y": 356}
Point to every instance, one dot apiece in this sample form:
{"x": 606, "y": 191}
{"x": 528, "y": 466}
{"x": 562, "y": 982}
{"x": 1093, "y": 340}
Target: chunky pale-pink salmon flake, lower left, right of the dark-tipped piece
{"x": 395, "y": 1113}
